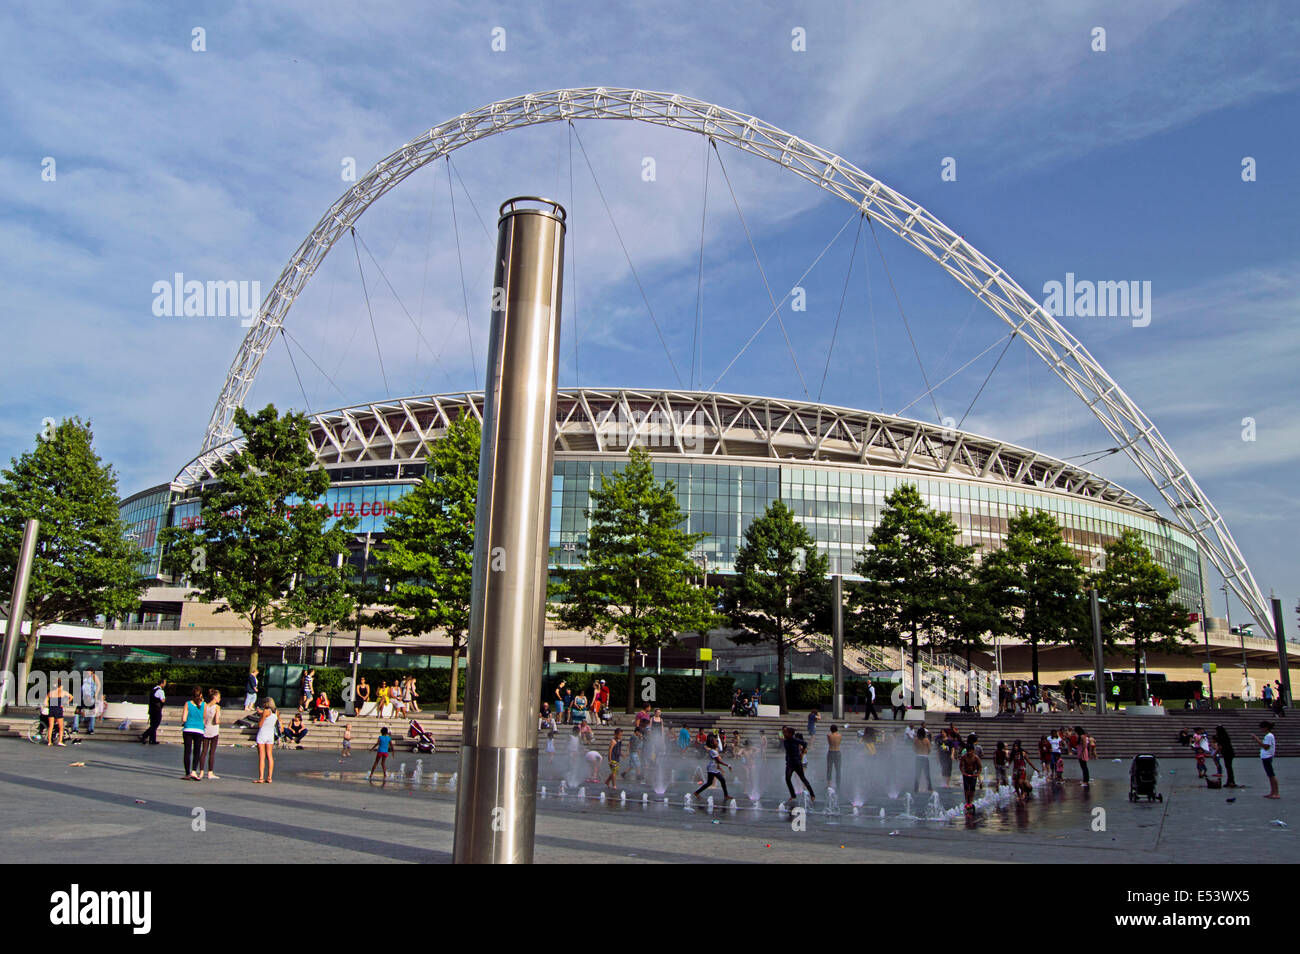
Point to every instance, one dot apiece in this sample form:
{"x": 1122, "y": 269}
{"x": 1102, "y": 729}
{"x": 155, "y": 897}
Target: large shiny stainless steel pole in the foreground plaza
{"x": 496, "y": 804}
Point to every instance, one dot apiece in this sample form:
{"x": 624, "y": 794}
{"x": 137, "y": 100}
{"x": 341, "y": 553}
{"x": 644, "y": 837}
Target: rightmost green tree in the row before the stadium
{"x": 1137, "y": 604}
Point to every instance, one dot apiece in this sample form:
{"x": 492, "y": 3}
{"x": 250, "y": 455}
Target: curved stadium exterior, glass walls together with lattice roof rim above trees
{"x": 729, "y": 457}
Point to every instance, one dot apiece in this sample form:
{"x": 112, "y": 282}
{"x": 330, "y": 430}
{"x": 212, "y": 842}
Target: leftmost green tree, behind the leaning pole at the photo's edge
{"x": 85, "y": 566}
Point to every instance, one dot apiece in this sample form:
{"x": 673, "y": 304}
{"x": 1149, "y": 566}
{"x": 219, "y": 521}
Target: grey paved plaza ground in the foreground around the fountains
{"x": 129, "y": 805}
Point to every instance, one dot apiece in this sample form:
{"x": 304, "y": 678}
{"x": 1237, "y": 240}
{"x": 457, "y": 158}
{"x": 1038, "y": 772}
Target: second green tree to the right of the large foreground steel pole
{"x": 778, "y": 595}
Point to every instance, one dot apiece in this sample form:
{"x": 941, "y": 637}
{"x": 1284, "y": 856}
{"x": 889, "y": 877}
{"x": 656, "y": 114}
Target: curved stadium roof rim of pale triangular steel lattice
{"x": 699, "y": 424}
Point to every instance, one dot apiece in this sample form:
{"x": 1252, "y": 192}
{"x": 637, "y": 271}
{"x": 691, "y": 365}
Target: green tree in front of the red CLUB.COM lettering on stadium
{"x": 263, "y": 550}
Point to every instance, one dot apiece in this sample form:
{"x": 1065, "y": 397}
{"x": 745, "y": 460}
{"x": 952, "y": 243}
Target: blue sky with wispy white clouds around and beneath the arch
{"x": 1124, "y": 164}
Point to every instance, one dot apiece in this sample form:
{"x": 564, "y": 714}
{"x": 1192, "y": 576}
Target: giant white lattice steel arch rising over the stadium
{"x": 1128, "y": 424}
